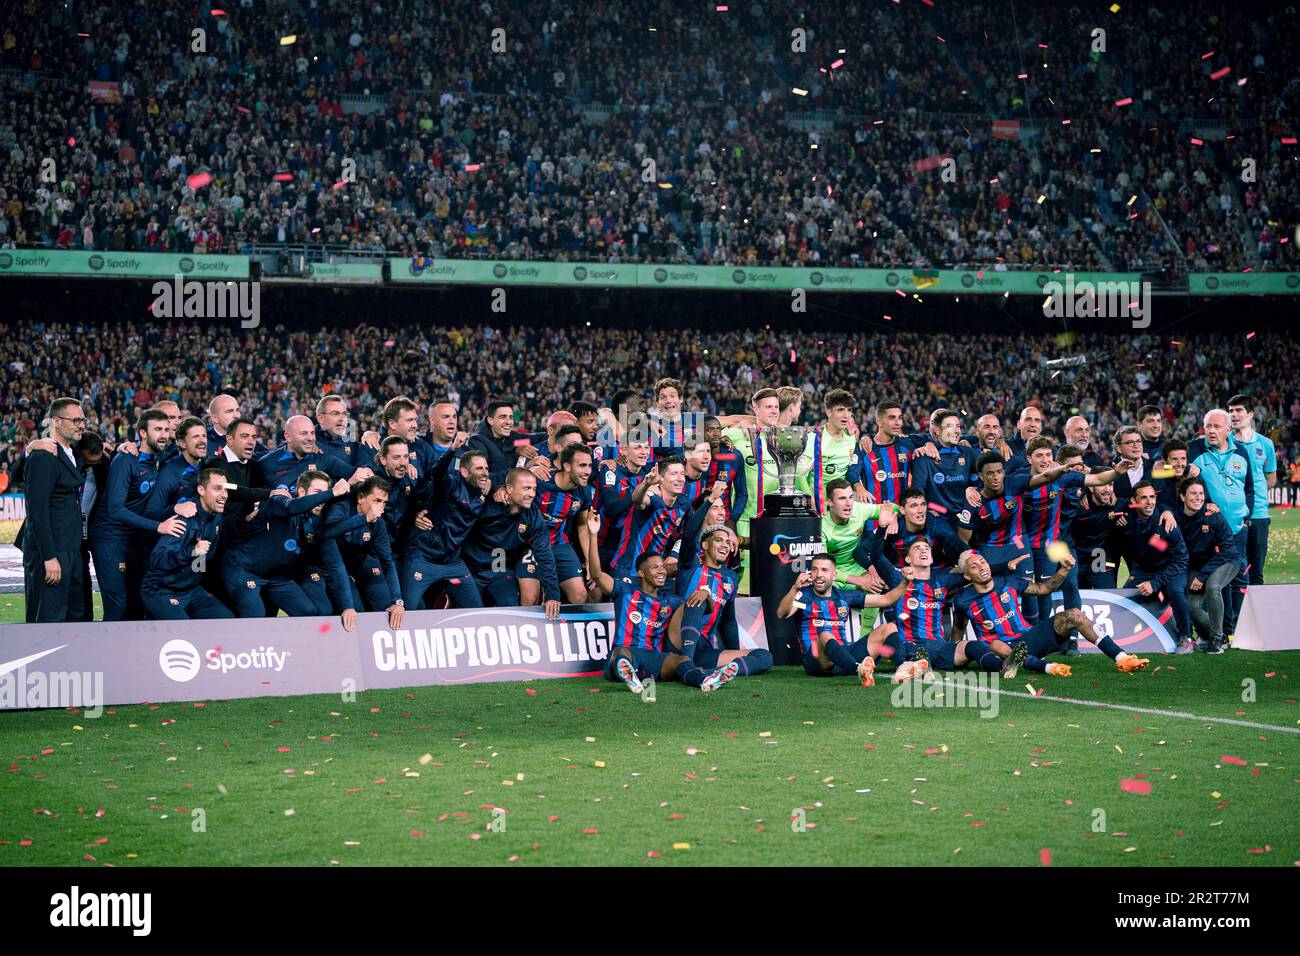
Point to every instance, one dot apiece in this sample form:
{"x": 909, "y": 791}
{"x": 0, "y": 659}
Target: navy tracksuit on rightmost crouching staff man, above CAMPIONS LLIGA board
{"x": 500, "y": 543}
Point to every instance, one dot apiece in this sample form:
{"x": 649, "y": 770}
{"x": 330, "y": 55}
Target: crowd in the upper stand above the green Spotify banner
{"x": 492, "y": 154}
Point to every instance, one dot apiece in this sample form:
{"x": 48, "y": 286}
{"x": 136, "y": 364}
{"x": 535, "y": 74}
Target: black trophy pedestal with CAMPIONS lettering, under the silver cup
{"x": 782, "y": 544}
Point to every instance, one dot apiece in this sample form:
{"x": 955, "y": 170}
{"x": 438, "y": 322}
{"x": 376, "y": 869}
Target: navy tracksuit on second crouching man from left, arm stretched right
{"x": 262, "y": 568}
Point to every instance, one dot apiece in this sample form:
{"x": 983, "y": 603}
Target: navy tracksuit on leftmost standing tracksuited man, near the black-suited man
{"x": 123, "y": 538}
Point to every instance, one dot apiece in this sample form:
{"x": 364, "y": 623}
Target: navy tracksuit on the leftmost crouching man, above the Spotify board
{"x": 172, "y": 589}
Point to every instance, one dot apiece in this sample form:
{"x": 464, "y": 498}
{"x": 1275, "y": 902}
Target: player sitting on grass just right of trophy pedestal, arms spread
{"x": 824, "y": 613}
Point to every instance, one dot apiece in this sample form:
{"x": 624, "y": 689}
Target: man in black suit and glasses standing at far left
{"x": 51, "y": 538}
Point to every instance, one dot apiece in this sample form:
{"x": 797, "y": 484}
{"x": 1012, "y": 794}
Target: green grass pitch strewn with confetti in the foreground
{"x": 591, "y": 775}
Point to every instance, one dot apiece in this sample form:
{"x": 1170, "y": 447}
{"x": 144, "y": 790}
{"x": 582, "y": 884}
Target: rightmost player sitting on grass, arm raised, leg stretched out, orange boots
{"x": 994, "y": 607}
